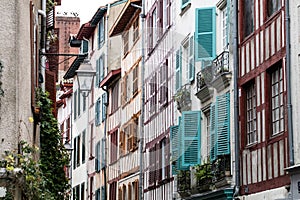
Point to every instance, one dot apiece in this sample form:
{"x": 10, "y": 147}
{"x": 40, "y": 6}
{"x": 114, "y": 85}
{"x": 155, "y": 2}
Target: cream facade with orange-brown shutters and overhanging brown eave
{"x": 123, "y": 129}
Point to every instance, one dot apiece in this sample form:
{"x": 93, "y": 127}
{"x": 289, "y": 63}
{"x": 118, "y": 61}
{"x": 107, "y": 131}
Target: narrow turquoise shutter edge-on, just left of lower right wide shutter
{"x": 212, "y": 133}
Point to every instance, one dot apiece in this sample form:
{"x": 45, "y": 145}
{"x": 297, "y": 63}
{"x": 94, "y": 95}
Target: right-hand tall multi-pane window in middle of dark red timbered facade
{"x": 277, "y": 100}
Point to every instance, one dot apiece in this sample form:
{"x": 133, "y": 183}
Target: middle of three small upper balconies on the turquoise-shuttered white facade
{"x": 204, "y": 92}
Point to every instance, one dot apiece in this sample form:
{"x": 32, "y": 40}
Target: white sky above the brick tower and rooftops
{"x": 84, "y": 8}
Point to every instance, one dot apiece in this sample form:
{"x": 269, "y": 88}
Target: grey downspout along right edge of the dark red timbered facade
{"x": 288, "y": 83}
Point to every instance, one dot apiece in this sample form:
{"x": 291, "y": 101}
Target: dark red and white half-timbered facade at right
{"x": 262, "y": 88}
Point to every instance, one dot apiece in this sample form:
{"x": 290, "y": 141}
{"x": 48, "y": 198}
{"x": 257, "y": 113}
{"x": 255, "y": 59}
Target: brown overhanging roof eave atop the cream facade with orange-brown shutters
{"x": 124, "y": 17}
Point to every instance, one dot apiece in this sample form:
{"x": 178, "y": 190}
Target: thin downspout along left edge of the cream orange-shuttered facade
{"x": 107, "y": 95}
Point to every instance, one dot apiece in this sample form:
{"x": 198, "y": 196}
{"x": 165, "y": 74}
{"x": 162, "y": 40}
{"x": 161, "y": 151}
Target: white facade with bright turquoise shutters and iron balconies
{"x": 201, "y": 139}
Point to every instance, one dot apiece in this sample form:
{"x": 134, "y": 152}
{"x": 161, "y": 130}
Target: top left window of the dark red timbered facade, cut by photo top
{"x": 248, "y": 17}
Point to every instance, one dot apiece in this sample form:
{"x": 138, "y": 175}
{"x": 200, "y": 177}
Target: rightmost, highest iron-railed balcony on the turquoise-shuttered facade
{"x": 220, "y": 70}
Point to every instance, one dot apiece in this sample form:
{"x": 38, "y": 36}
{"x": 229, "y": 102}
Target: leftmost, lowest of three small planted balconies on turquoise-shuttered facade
{"x": 183, "y": 98}
